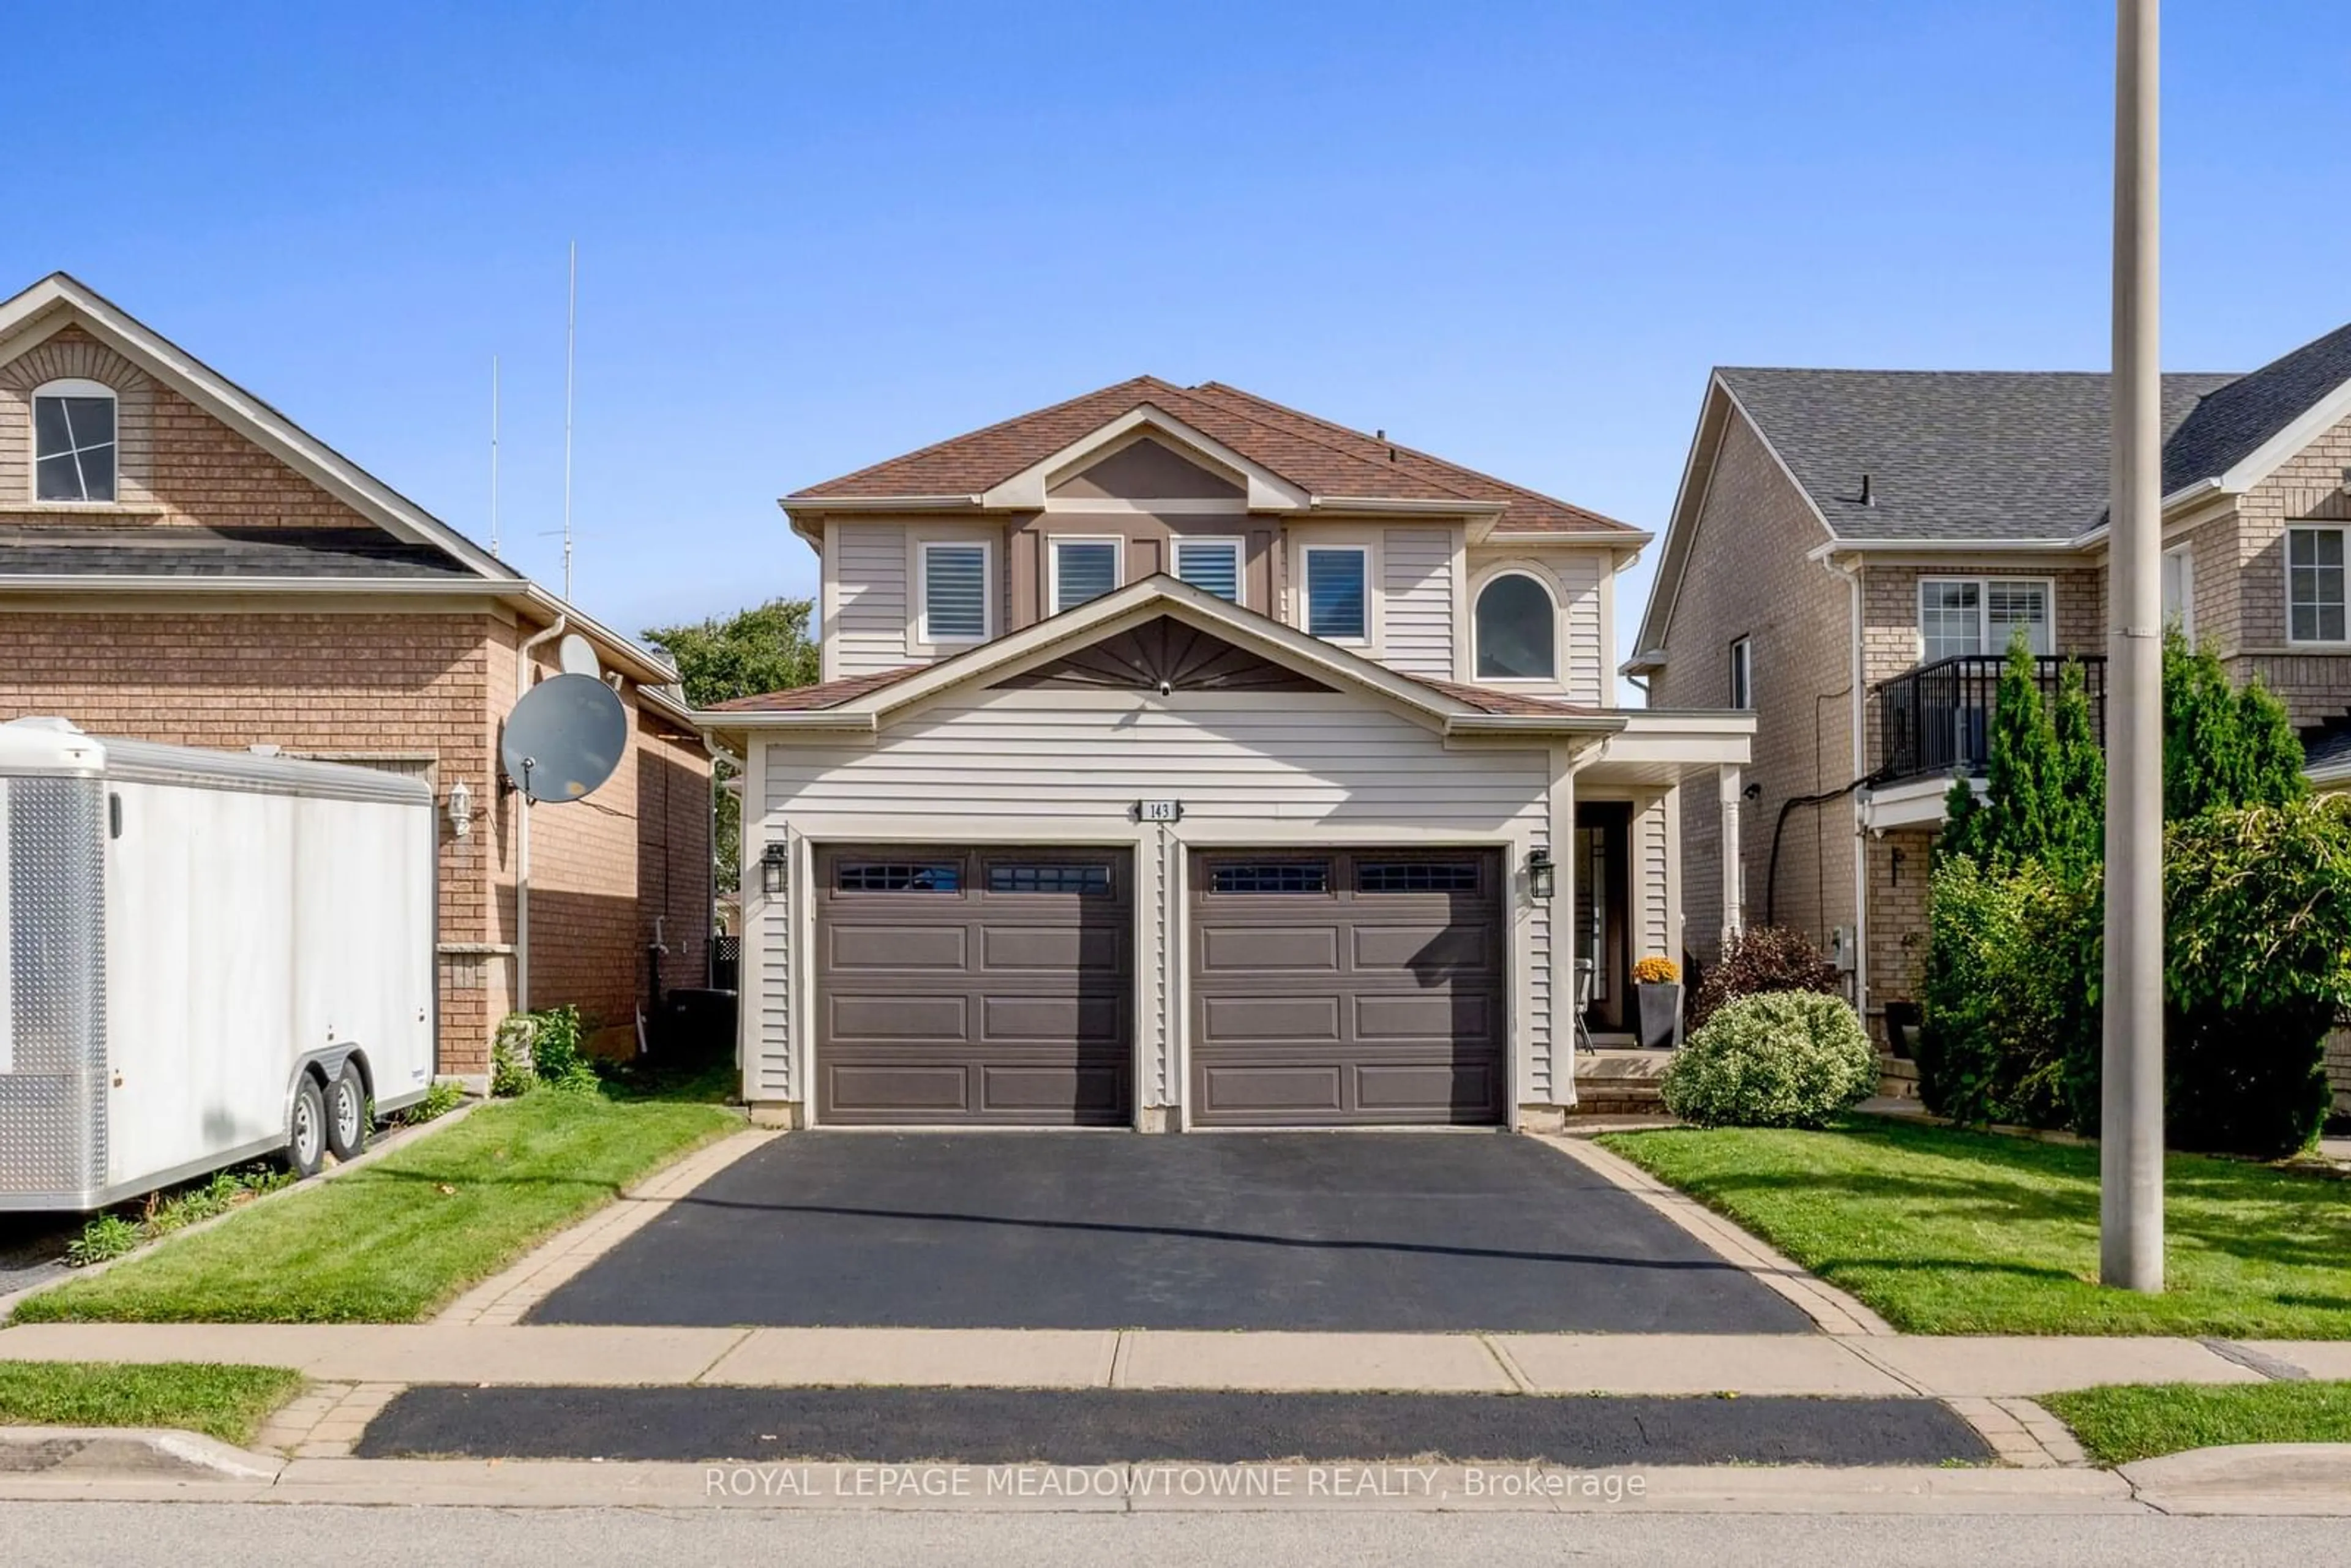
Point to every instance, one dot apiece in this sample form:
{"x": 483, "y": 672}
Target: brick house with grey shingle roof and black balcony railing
{"x": 1851, "y": 554}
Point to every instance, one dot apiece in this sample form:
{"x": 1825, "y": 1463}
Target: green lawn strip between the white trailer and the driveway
{"x": 401, "y": 1238}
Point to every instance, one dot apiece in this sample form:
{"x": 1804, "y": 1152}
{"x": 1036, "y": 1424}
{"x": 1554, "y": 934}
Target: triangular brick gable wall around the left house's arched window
{"x": 175, "y": 462}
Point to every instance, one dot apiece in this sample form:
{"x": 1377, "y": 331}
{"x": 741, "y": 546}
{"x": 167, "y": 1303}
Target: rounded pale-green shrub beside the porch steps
{"x": 1779, "y": 1059}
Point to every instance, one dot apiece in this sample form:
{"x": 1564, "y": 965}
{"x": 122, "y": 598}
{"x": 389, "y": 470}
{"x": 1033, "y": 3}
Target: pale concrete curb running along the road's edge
{"x": 2277, "y": 1480}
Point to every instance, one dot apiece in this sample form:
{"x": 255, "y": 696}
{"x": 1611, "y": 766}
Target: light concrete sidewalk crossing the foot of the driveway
{"x": 1184, "y": 1360}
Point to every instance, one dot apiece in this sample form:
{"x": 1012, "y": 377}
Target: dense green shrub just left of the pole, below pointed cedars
{"x": 2009, "y": 1007}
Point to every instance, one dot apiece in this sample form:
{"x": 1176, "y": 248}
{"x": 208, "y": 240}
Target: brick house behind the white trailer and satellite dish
{"x": 180, "y": 563}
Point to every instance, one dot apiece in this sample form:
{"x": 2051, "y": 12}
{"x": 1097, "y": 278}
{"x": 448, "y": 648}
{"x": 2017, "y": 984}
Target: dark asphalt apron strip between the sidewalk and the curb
{"x": 1134, "y": 1426}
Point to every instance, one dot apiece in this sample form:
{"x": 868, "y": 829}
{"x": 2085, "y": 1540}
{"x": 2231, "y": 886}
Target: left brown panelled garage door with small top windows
{"x": 979, "y": 986}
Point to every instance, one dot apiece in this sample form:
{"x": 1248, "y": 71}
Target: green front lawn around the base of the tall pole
{"x": 1976, "y": 1233}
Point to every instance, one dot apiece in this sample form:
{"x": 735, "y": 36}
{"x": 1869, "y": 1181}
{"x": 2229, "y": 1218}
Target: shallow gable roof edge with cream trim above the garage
{"x": 862, "y": 702}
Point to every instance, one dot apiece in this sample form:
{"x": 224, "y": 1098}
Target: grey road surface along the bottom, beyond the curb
{"x": 234, "y": 1536}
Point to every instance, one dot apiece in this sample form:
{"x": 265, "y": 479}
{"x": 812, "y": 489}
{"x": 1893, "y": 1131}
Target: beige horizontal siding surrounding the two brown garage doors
{"x": 1322, "y": 770}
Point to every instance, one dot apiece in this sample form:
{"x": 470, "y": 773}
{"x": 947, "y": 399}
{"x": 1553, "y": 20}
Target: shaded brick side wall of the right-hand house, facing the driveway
{"x": 1748, "y": 579}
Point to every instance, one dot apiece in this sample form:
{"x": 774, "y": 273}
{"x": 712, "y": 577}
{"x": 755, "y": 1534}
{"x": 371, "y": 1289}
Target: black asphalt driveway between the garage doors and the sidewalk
{"x": 1358, "y": 1233}
